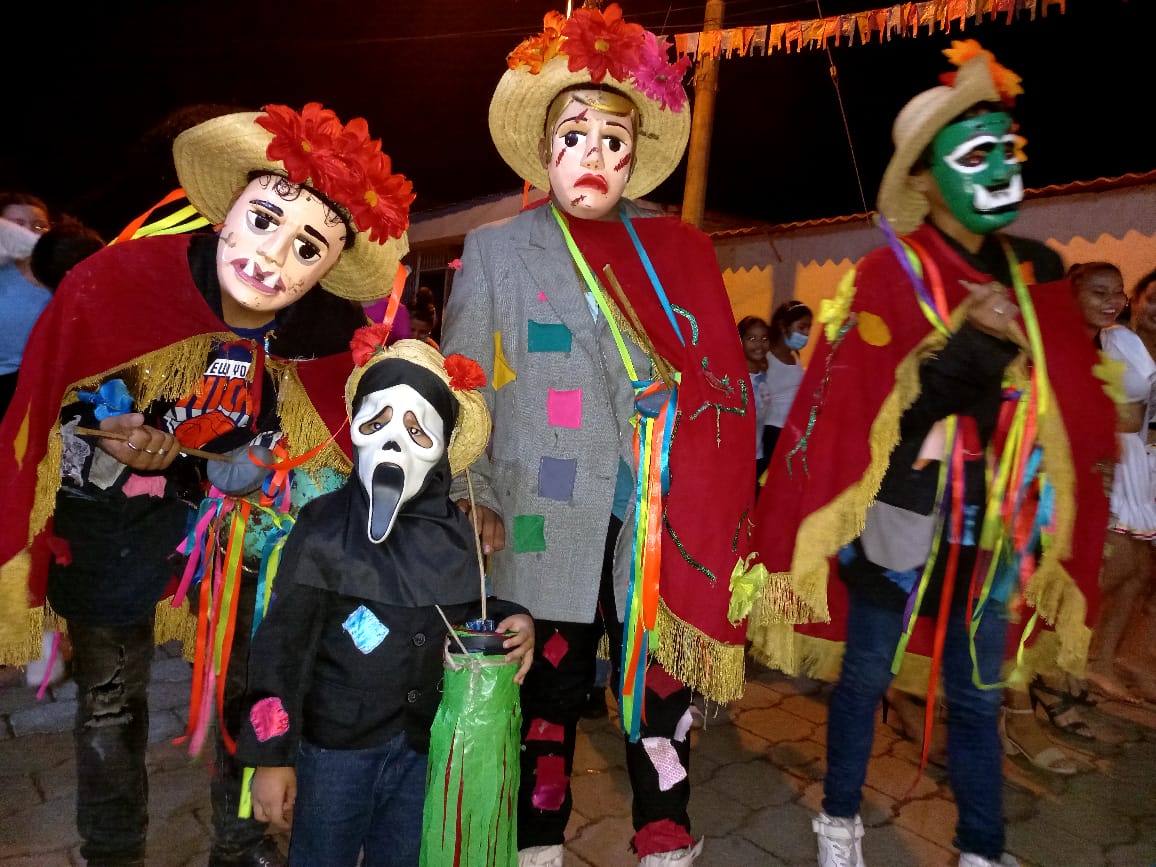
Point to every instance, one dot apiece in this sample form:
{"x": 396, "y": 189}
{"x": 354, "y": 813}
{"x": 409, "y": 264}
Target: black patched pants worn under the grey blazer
{"x": 552, "y": 701}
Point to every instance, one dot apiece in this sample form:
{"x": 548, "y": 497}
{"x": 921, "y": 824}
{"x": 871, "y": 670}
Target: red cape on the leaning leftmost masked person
{"x": 123, "y": 303}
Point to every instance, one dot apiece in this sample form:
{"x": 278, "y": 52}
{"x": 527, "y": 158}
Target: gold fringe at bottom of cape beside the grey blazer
{"x": 707, "y": 665}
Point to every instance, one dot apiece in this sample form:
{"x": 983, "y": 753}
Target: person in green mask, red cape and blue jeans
{"x": 946, "y": 458}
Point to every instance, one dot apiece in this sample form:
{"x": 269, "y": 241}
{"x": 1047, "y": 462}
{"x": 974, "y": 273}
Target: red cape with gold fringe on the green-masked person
{"x": 814, "y": 500}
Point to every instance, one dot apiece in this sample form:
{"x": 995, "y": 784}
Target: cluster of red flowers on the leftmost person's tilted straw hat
{"x": 343, "y": 164}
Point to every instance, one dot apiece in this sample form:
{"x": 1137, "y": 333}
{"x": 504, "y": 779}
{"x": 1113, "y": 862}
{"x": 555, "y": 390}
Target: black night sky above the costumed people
{"x": 92, "y": 90}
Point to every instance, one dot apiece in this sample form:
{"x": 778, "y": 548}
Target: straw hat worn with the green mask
{"x": 980, "y": 79}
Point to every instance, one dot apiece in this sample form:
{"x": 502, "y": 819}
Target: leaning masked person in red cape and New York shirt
{"x": 179, "y": 351}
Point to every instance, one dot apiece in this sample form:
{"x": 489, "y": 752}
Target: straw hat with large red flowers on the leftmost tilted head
{"x": 214, "y": 161}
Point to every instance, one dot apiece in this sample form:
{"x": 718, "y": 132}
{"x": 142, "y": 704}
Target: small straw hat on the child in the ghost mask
{"x": 462, "y": 376}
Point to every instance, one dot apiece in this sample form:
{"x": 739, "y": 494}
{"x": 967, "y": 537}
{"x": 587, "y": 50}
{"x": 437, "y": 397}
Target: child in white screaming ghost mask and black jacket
{"x": 346, "y": 668}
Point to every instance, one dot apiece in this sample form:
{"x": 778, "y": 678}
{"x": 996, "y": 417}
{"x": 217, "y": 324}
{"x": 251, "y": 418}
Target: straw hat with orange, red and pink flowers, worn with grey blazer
{"x": 524, "y": 94}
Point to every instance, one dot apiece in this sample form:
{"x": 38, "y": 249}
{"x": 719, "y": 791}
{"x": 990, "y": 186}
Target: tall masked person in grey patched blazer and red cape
{"x": 616, "y": 497}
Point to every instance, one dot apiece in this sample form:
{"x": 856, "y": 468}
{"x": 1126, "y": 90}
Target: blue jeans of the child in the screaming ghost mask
{"x": 349, "y": 799}
